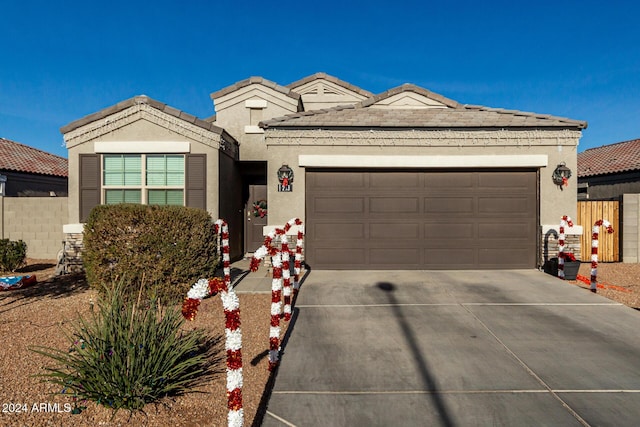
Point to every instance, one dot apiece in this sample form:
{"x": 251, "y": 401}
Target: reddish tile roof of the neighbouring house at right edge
{"x": 613, "y": 158}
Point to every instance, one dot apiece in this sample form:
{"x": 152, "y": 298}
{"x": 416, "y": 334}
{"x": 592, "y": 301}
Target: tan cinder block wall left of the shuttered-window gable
{"x": 36, "y": 220}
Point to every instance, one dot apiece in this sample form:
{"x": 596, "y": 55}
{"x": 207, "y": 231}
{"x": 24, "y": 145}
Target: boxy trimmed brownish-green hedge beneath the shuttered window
{"x": 167, "y": 247}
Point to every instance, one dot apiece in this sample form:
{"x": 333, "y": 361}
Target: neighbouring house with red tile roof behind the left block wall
{"x": 28, "y": 172}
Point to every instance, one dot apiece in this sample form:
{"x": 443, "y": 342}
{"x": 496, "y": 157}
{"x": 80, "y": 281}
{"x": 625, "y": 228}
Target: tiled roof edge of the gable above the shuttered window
{"x": 137, "y": 100}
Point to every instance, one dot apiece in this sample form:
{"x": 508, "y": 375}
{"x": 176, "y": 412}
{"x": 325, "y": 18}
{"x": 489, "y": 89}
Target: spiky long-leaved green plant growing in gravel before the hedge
{"x": 128, "y": 354}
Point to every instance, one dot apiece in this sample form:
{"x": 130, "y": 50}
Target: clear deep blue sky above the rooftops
{"x": 61, "y": 61}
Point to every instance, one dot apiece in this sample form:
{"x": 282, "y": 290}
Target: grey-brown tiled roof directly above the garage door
{"x": 451, "y": 115}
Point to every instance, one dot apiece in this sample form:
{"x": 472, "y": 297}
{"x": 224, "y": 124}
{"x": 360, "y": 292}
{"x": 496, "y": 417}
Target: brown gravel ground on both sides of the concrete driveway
{"x": 37, "y": 315}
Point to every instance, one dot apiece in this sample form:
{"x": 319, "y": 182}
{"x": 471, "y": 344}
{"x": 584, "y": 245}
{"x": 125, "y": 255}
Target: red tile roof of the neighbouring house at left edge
{"x": 22, "y": 158}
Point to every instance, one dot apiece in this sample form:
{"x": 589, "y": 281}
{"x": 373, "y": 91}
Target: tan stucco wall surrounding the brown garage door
{"x": 557, "y": 146}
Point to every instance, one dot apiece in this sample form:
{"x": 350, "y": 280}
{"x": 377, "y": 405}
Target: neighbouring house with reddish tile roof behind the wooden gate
{"x": 609, "y": 171}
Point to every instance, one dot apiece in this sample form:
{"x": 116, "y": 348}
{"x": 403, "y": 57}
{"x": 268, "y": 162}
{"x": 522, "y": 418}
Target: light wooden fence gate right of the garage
{"x": 608, "y": 244}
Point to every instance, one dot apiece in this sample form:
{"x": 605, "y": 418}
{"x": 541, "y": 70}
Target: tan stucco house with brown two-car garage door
{"x": 405, "y": 179}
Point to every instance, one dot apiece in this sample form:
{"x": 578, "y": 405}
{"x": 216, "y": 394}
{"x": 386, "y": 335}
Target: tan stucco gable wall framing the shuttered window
{"x": 145, "y": 130}
